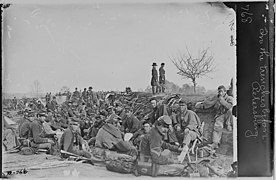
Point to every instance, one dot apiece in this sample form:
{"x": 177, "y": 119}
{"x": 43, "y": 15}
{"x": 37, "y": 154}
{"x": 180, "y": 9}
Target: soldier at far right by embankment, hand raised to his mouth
{"x": 223, "y": 104}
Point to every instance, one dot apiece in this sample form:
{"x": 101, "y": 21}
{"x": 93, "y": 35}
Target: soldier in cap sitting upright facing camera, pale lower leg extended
{"x": 187, "y": 126}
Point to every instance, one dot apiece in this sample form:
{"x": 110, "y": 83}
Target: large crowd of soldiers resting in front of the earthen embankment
{"x": 84, "y": 121}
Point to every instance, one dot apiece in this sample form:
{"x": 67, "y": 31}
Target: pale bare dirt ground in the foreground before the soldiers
{"x": 65, "y": 169}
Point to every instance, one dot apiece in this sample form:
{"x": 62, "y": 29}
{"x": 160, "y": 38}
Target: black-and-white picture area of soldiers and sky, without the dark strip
{"x": 119, "y": 89}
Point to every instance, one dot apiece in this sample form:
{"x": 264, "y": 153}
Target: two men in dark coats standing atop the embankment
{"x": 158, "y": 86}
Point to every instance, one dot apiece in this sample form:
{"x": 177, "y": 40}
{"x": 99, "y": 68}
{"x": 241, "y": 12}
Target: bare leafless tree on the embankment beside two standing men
{"x": 193, "y": 67}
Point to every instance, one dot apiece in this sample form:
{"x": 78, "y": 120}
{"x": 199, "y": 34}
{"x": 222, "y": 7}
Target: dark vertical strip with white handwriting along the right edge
{"x": 255, "y": 108}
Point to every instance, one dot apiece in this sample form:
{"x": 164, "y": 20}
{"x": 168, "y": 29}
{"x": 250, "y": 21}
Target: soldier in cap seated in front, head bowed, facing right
{"x": 153, "y": 145}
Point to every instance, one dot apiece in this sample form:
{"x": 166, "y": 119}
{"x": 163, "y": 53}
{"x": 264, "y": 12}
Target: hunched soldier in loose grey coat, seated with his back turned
{"x": 110, "y": 137}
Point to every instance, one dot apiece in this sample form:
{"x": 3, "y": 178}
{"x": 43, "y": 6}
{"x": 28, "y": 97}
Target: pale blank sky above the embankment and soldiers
{"x": 111, "y": 46}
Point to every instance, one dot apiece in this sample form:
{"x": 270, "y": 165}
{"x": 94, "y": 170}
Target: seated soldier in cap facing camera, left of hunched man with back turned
{"x": 72, "y": 142}
